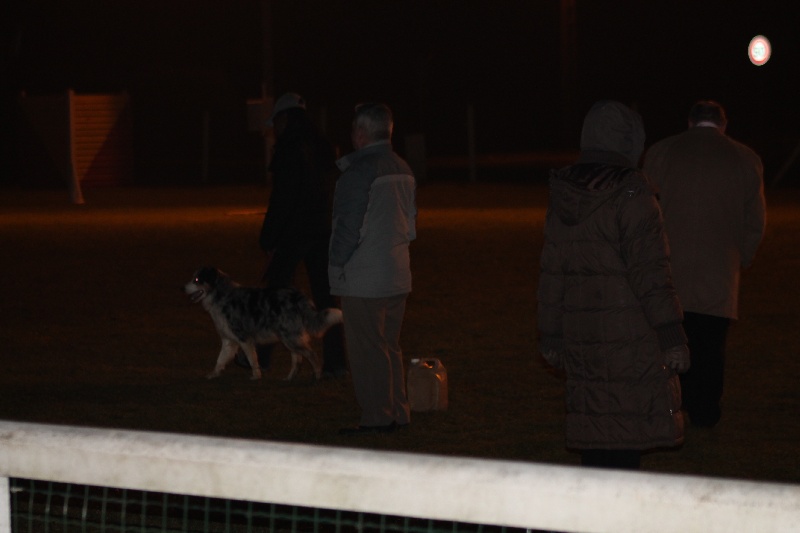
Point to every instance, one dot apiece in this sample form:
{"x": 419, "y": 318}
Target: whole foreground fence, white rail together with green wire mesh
{"x": 69, "y": 478}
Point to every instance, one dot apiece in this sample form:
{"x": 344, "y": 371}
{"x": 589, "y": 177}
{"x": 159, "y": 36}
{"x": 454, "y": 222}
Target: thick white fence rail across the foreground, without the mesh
{"x": 515, "y": 494}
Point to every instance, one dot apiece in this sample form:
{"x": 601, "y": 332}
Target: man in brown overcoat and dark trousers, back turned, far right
{"x": 712, "y": 196}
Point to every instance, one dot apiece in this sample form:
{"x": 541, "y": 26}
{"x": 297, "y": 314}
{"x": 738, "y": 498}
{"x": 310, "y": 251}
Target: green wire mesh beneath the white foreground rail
{"x": 45, "y": 506}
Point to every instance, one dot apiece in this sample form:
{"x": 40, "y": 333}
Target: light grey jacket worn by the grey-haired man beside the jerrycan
{"x": 374, "y": 221}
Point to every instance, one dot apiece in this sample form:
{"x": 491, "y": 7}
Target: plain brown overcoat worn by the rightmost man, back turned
{"x": 712, "y": 196}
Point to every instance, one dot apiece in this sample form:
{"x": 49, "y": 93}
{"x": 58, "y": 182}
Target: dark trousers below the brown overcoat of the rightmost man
{"x": 701, "y": 386}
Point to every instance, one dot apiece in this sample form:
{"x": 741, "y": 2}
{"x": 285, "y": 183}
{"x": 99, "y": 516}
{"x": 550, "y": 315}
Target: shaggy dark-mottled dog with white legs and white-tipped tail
{"x": 247, "y": 316}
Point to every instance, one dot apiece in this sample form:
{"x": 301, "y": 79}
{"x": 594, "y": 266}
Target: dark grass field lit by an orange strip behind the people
{"x": 96, "y": 331}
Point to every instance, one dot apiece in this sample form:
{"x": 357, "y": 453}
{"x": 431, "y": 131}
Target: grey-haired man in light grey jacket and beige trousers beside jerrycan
{"x": 374, "y": 221}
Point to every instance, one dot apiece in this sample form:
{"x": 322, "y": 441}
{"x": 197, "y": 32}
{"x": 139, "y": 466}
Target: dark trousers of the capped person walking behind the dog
{"x": 281, "y": 272}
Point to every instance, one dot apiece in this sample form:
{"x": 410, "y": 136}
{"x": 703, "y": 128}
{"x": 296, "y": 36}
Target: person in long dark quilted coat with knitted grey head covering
{"x": 607, "y": 309}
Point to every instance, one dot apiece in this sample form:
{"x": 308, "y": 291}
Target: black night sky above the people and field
{"x": 429, "y": 59}
